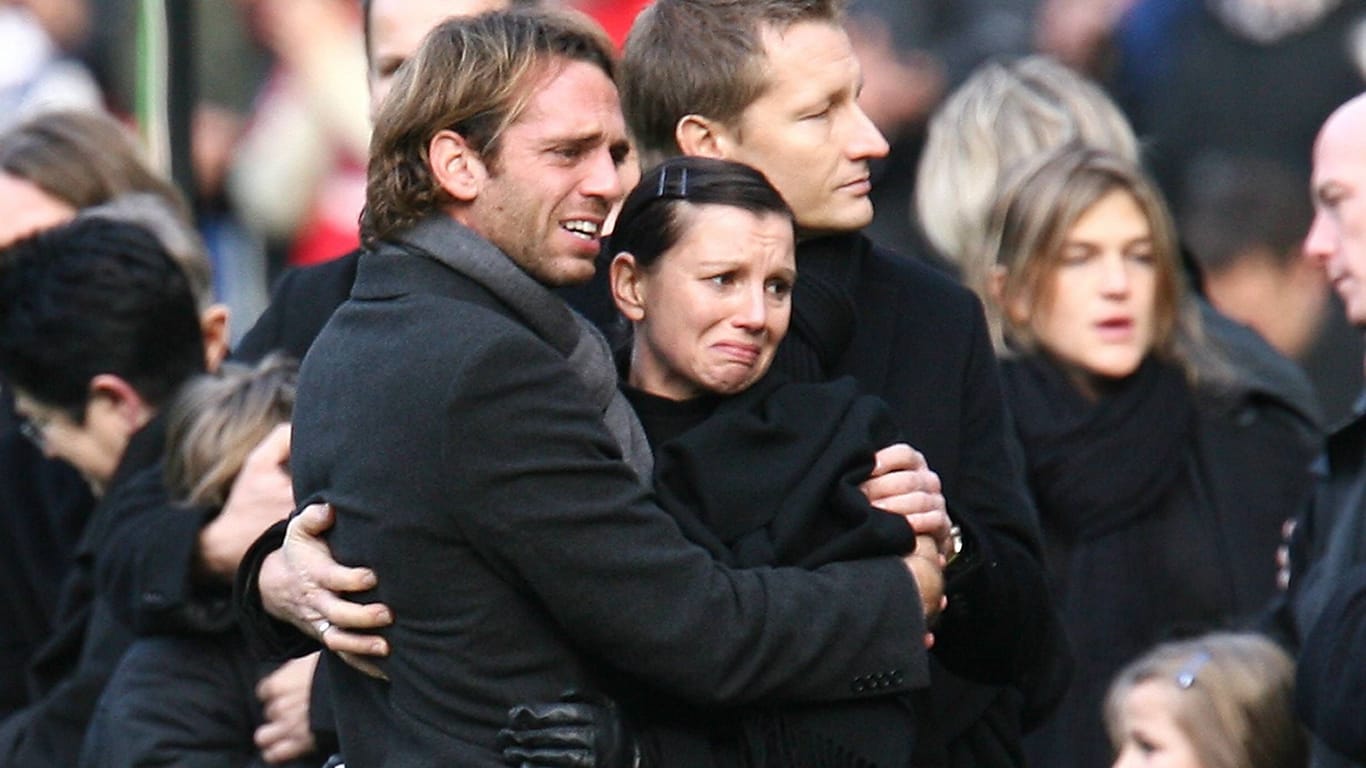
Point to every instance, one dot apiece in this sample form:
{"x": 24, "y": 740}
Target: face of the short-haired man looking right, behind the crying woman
{"x": 808, "y": 135}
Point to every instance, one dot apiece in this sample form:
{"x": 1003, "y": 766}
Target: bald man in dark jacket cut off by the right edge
{"x": 1326, "y": 607}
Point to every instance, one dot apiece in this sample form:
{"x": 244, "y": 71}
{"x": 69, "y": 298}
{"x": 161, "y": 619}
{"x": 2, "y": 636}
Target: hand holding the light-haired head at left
{"x": 262, "y": 495}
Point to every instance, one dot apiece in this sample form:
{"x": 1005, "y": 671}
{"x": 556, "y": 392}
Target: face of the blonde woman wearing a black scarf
{"x": 1098, "y": 301}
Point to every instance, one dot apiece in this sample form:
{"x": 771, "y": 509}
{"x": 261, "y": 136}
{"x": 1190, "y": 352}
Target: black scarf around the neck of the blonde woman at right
{"x": 1095, "y": 465}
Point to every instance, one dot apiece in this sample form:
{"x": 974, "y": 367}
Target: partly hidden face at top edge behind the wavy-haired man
{"x": 397, "y": 32}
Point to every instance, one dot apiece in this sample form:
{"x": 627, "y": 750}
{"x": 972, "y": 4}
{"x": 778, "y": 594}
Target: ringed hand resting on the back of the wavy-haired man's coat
{"x": 303, "y": 583}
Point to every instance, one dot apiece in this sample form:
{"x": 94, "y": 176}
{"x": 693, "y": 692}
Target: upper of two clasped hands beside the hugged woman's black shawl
{"x": 904, "y": 484}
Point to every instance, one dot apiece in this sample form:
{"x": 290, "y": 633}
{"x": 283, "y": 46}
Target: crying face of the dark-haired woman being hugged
{"x": 712, "y": 311}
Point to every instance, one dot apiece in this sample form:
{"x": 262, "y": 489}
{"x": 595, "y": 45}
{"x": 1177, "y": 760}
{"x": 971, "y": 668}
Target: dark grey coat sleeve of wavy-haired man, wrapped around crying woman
{"x": 585, "y": 539}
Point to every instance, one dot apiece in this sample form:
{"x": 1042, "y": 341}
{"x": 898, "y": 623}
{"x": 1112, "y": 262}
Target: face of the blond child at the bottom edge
{"x": 1151, "y": 736}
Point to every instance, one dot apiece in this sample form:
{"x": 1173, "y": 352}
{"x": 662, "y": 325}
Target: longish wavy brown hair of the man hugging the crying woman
{"x": 473, "y": 76}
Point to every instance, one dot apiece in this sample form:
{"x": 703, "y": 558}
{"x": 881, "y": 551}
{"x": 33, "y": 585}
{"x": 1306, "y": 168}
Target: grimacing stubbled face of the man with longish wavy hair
{"x": 558, "y": 174}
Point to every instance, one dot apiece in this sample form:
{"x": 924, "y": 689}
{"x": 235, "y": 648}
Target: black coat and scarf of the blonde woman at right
{"x": 1162, "y": 513}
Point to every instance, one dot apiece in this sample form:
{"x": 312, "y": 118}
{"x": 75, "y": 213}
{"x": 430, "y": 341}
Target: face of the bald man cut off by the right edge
{"x": 1338, "y": 237}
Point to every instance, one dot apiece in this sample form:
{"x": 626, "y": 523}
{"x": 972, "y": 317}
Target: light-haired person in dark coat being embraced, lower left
{"x": 191, "y": 700}
